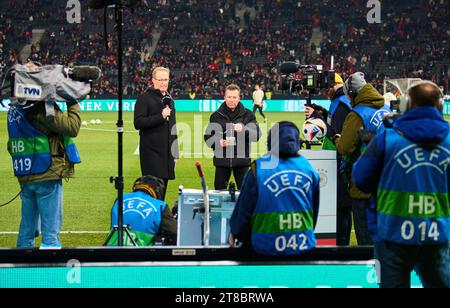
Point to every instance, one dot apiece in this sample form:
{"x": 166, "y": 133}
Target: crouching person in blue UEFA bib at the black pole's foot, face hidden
{"x": 150, "y": 219}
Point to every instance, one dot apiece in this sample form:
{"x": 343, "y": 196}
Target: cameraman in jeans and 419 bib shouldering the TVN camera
{"x": 43, "y": 154}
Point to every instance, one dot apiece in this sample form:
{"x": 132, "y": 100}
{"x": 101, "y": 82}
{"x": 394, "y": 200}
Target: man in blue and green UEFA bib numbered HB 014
{"x": 407, "y": 167}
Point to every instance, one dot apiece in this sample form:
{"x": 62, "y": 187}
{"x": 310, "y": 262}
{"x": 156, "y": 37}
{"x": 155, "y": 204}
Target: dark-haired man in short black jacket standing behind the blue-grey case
{"x": 230, "y": 133}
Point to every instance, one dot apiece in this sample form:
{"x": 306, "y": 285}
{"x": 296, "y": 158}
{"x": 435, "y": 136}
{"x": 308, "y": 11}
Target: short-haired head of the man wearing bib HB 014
{"x": 425, "y": 94}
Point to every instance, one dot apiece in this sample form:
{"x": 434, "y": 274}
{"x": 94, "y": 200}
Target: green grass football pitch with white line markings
{"x": 89, "y": 196}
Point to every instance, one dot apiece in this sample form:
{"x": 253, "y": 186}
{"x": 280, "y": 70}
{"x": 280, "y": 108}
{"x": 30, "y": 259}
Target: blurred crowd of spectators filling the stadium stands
{"x": 209, "y": 44}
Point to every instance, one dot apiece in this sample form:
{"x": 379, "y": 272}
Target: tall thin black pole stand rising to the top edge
{"x": 118, "y": 181}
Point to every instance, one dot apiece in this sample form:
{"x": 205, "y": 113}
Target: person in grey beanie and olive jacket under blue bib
{"x": 366, "y": 116}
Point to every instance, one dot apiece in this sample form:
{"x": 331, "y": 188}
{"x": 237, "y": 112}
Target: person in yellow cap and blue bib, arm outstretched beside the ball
{"x": 339, "y": 109}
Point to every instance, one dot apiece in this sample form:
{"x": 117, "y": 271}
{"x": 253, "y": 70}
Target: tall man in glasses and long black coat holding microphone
{"x": 154, "y": 117}
